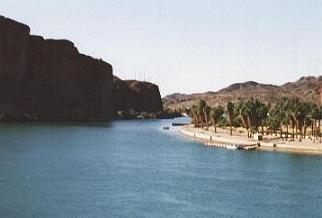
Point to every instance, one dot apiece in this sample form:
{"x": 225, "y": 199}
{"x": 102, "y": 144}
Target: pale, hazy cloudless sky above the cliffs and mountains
{"x": 186, "y": 46}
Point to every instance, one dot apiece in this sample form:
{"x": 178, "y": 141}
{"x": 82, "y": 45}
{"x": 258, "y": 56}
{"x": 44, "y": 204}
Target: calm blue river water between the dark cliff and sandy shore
{"x": 136, "y": 169}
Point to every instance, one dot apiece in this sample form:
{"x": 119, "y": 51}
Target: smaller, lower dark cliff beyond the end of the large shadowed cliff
{"x": 136, "y": 95}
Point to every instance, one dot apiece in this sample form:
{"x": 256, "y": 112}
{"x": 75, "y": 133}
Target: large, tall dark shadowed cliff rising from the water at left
{"x": 49, "y": 79}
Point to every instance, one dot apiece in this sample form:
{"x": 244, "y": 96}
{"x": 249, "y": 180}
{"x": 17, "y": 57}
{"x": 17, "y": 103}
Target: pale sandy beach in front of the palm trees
{"x": 307, "y": 146}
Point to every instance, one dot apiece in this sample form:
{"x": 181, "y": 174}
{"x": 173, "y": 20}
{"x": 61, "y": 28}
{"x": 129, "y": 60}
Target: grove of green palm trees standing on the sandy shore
{"x": 289, "y": 117}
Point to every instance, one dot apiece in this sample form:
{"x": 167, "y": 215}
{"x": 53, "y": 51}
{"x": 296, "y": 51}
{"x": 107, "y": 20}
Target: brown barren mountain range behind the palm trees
{"x": 305, "y": 88}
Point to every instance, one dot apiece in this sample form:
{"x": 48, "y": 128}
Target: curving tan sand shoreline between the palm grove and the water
{"x": 206, "y": 136}
